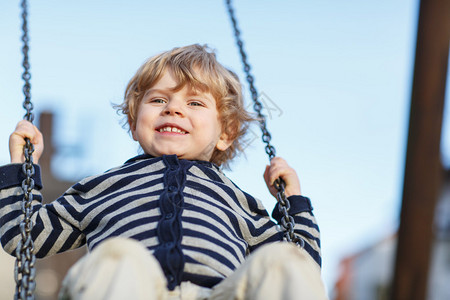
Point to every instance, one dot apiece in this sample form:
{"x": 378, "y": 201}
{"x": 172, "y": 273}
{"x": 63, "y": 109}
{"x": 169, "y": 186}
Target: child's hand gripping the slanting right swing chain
{"x": 279, "y": 168}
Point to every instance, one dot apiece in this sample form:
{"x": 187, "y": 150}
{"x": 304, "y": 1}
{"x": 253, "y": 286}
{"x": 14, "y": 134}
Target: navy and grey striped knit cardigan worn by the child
{"x": 197, "y": 223}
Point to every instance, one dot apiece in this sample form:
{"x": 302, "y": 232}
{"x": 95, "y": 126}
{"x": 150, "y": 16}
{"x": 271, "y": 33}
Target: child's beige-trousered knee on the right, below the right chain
{"x": 275, "y": 271}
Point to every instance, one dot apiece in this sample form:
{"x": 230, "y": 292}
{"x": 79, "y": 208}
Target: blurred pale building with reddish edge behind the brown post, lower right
{"x": 367, "y": 275}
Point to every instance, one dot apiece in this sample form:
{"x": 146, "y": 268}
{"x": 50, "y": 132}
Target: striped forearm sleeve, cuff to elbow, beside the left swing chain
{"x": 54, "y": 230}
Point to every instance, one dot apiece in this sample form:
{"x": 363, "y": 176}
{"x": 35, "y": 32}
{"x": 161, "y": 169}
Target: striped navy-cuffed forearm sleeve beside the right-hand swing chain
{"x": 305, "y": 224}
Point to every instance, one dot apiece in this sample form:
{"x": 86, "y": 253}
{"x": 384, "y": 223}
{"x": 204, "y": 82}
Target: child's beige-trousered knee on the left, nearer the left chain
{"x": 118, "y": 266}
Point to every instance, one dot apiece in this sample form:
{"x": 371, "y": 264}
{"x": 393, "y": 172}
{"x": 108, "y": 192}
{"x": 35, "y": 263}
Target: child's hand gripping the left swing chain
{"x": 25, "y": 129}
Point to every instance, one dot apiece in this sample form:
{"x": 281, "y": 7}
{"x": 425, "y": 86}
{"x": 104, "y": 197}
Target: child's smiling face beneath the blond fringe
{"x": 178, "y": 122}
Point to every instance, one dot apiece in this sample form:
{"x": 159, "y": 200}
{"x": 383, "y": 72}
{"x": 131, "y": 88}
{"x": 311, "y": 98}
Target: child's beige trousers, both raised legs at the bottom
{"x": 122, "y": 268}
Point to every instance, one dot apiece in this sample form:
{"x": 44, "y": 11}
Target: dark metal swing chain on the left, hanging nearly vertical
{"x": 24, "y": 270}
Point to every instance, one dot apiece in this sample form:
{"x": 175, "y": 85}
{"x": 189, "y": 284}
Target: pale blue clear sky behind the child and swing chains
{"x": 334, "y": 76}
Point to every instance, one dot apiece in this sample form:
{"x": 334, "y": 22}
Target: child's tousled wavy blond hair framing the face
{"x": 196, "y": 66}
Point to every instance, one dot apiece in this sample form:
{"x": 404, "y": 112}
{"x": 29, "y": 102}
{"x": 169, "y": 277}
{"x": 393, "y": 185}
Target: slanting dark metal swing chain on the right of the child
{"x": 287, "y": 221}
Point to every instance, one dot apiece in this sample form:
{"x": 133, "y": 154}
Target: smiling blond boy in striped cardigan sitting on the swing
{"x": 169, "y": 223}
